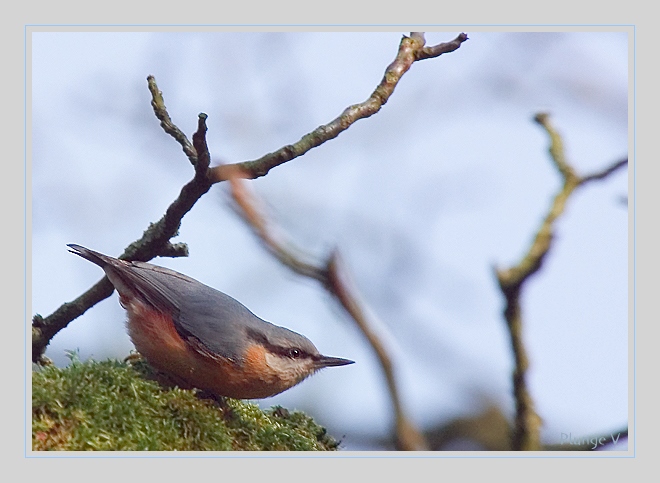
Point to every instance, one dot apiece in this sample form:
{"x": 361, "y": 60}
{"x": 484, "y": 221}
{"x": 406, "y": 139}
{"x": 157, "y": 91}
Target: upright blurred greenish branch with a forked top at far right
{"x": 527, "y": 424}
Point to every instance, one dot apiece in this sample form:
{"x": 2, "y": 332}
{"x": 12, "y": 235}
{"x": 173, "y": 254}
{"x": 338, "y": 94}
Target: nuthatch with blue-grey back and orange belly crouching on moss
{"x": 204, "y": 339}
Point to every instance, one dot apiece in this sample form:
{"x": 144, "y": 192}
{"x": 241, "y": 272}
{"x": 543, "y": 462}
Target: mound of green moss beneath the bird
{"x": 109, "y": 406}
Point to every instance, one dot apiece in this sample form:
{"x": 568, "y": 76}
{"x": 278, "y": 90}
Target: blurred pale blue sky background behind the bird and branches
{"x": 449, "y": 180}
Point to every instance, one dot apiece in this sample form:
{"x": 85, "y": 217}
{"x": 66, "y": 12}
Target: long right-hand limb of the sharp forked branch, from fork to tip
{"x": 411, "y": 49}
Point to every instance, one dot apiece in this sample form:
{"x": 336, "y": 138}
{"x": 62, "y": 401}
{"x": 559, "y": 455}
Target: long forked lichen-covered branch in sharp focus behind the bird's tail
{"x": 155, "y": 240}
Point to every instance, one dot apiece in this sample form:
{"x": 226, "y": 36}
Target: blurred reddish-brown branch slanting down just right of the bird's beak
{"x": 333, "y": 275}
